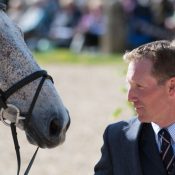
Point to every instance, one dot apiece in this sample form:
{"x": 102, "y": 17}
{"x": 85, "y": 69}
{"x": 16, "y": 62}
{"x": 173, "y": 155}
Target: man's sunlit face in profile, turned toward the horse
{"x": 149, "y": 99}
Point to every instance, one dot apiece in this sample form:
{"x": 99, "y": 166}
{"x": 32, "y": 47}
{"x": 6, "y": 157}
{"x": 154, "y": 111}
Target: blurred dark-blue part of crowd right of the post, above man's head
{"x": 149, "y": 20}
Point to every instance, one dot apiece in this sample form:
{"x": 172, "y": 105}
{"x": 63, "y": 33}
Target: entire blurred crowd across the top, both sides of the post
{"x": 85, "y": 24}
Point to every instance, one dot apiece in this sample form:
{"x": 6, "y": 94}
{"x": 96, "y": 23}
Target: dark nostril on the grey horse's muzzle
{"x": 54, "y": 128}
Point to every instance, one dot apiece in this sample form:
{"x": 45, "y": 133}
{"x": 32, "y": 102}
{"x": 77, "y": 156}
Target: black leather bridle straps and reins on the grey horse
{"x": 4, "y": 95}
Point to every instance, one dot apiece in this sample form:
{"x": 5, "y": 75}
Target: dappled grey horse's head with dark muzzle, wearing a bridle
{"x": 49, "y": 120}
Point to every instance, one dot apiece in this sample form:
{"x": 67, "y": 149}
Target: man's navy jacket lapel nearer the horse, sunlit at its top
{"x": 130, "y": 139}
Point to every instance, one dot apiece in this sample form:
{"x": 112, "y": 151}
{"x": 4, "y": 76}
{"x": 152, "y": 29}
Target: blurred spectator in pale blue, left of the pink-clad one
{"x": 64, "y": 24}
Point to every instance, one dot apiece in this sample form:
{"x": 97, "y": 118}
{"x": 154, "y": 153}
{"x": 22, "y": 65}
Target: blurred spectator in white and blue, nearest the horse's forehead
{"x": 34, "y": 18}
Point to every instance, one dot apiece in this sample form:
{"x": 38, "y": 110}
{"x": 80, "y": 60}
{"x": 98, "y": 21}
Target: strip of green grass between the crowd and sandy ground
{"x": 66, "y": 56}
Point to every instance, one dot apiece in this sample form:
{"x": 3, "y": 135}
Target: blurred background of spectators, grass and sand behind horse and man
{"x": 80, "y": 43}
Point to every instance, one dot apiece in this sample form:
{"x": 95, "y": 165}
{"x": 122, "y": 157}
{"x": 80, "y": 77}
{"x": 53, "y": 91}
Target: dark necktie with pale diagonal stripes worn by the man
{"x": 166, "y": 151}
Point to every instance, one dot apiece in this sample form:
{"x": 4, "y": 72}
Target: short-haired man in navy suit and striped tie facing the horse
{"x": 140, "y": 146}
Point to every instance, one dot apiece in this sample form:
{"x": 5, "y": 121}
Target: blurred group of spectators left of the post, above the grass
{"x": 58, "y": 23}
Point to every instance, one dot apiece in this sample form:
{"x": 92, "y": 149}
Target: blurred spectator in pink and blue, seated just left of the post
{"x": 91, "y": 26}
